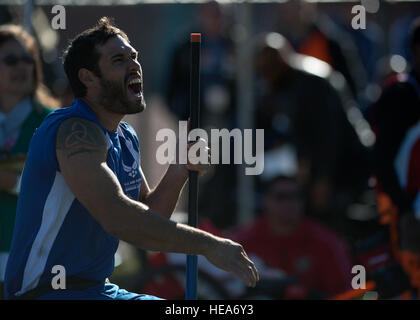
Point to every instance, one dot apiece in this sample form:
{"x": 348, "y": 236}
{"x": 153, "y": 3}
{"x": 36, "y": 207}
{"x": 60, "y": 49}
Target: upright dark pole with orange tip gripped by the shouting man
{"x": 192, "y": 271}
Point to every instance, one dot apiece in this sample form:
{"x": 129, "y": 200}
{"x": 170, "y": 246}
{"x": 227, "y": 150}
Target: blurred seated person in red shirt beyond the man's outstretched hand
{"x": 284, "y": 238}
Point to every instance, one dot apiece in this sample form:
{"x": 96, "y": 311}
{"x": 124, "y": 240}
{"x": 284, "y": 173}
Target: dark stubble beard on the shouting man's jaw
{"x": 114, "y": 99}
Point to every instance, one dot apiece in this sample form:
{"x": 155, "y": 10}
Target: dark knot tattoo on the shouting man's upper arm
{"x": 78, "y": 135}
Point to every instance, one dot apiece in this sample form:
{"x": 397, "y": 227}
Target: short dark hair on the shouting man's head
{"x": 82, "y": 52}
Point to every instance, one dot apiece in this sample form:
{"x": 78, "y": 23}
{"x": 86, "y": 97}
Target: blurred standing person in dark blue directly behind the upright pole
{"x": 217, "y": 101}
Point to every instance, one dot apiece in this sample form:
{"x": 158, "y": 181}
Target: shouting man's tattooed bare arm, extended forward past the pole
{"x": 81, "y": 151}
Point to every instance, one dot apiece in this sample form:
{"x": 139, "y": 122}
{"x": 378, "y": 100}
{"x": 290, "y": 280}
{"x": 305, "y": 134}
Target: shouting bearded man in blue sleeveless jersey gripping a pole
{"x": 83, "y": 188}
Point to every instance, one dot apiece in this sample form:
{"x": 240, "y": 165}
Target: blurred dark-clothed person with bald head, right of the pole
{"x": 298, "y": 105}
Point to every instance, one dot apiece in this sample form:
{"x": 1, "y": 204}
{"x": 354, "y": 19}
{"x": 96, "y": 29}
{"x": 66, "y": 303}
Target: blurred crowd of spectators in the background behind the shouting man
{"x": 340, "y": 110}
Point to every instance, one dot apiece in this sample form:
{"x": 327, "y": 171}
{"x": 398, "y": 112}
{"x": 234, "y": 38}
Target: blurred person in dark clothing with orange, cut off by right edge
{"x": 395, "y": 117}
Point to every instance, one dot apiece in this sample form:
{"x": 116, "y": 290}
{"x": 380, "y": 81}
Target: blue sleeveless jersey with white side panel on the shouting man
{"x": 52, "y": 227}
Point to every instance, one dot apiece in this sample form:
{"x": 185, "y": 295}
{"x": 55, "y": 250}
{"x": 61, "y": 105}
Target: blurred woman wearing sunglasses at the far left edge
{"x": 23, "y": 106}
